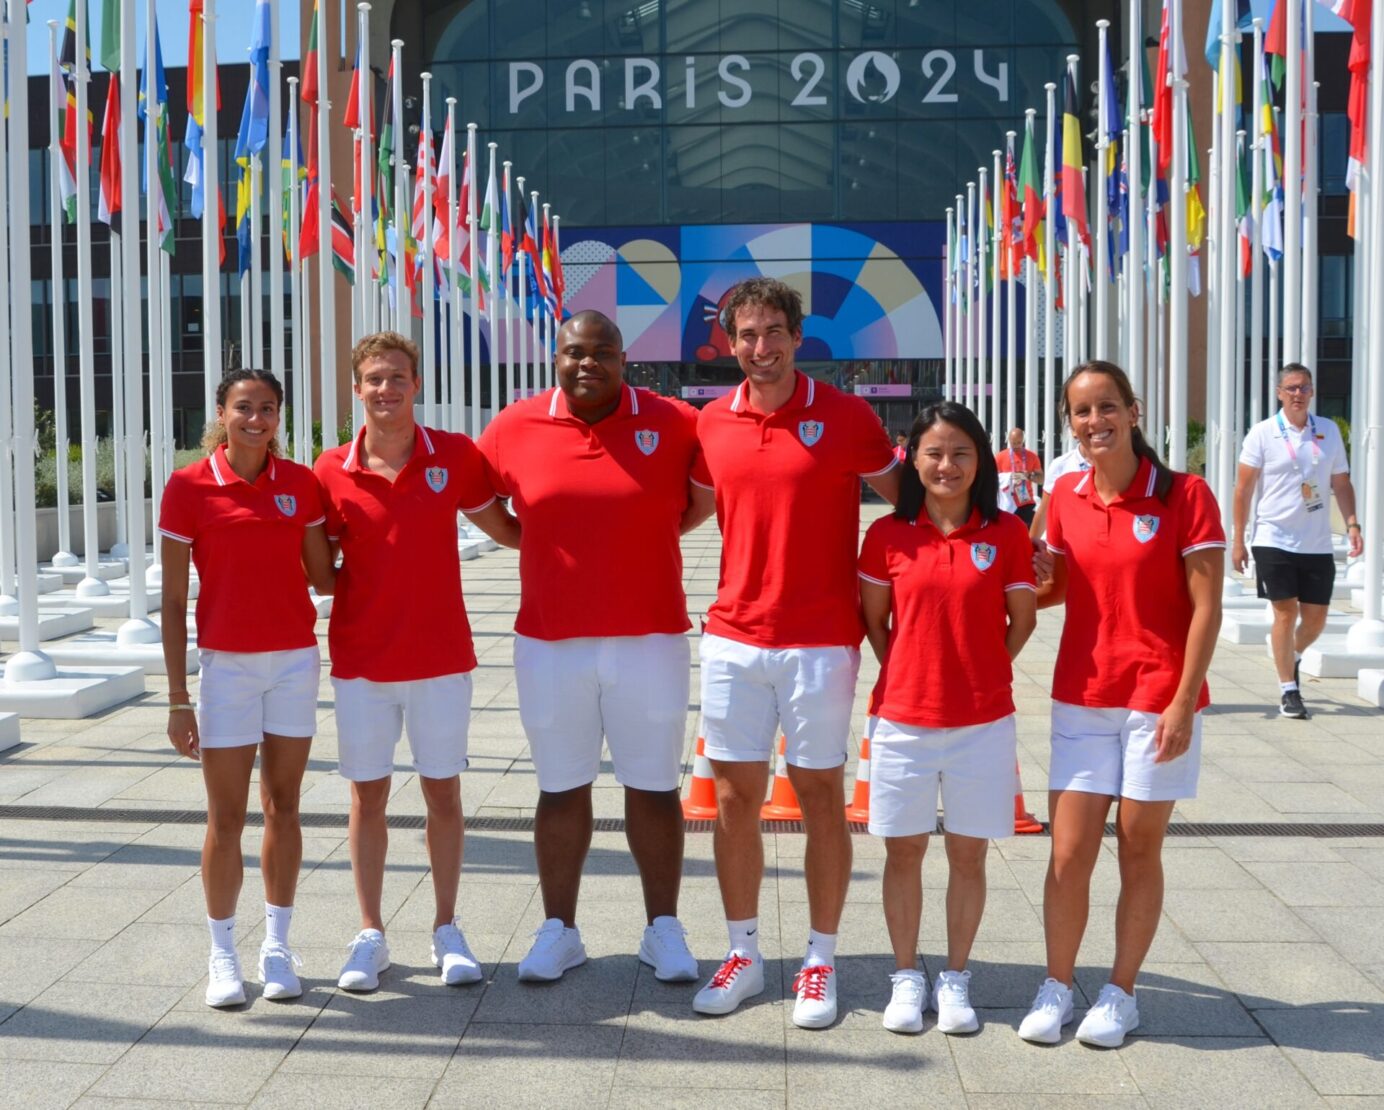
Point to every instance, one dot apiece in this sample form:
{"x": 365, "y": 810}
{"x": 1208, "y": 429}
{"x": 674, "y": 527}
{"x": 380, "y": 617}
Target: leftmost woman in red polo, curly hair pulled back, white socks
{"x": 253, "y": 524}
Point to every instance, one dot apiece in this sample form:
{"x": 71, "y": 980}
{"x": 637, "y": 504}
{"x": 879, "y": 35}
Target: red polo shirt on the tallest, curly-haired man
{"x": 788, "y": 502}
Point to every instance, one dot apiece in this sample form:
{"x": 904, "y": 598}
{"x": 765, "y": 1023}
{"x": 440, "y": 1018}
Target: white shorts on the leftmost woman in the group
{"x": 244, "y": 695}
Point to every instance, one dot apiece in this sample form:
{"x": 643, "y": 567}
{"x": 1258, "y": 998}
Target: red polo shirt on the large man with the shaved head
{"x": 600, "y": 506}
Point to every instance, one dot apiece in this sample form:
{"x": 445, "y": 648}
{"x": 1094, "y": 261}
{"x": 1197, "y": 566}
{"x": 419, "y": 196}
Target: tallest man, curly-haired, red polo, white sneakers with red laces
{"x": 785, "y": 456}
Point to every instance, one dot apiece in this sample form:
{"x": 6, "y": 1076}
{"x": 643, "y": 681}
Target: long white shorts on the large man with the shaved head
{"x": 633, "y": 691}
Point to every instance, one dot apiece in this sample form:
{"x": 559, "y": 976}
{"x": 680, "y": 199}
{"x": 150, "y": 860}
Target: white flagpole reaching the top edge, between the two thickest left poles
{"x": 92, "y": 586}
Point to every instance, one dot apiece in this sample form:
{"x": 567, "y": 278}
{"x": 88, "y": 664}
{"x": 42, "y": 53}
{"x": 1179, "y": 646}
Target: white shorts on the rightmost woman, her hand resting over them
{"x": 1111, "y": 752}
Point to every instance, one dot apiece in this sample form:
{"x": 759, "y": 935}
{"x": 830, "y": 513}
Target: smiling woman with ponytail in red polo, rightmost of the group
{"x": 1138, "y": 560}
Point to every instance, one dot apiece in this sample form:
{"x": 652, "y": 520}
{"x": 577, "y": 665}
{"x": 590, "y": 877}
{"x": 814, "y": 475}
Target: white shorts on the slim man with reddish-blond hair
{"x": 372, "y": 718}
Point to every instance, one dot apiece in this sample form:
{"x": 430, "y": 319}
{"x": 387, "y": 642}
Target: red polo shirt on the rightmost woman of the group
{"x": 1129, "y": 610}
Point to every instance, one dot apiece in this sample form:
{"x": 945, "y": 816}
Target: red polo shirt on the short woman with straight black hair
{"x": 947, "y": 666}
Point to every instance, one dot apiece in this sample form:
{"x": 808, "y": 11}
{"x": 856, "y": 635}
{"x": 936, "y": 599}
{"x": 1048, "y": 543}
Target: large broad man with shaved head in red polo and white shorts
{"x": 599, "y": 473}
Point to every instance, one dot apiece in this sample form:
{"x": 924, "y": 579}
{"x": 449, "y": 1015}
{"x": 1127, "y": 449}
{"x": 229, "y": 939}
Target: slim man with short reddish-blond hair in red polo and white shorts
{"x": 401, "y": 643}
